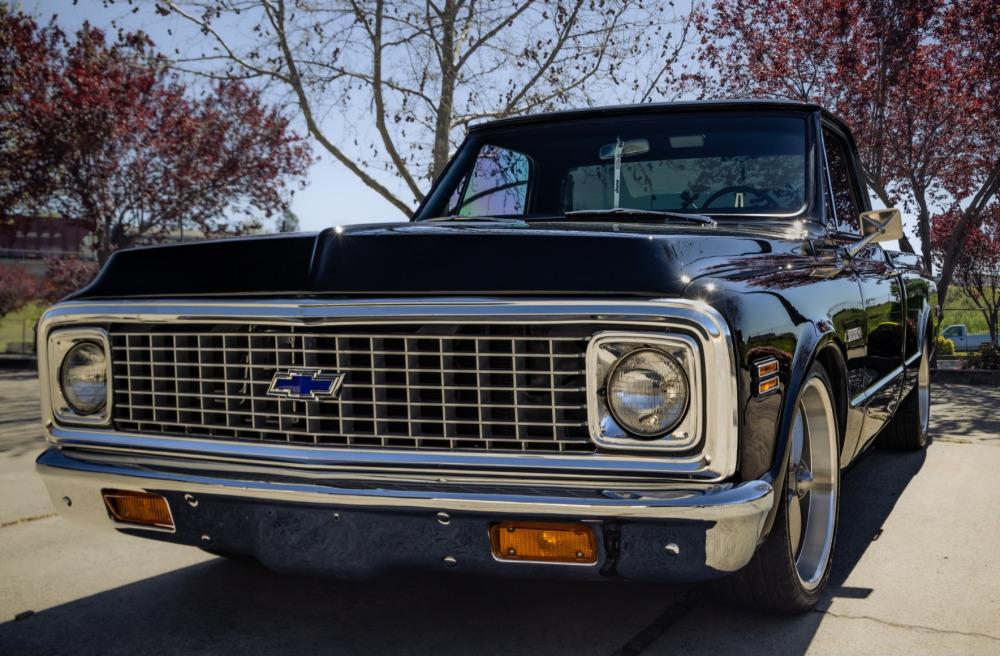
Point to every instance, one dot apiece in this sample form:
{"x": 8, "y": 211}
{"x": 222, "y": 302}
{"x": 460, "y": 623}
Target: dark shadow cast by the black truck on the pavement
{"x": 238, "y": 608}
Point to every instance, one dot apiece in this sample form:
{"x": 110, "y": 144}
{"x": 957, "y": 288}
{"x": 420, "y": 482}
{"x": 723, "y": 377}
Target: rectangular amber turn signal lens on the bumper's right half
{"x": 548, "y": 543}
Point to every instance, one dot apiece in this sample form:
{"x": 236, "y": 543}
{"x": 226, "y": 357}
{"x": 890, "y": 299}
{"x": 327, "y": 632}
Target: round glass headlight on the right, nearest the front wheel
{"x": 648, "y": 392}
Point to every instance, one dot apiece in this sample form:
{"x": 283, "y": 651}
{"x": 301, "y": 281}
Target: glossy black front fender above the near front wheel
{"x": 793, "y": 310}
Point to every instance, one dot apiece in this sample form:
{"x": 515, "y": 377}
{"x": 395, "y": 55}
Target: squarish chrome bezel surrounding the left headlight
{"x": 60, "y": 343}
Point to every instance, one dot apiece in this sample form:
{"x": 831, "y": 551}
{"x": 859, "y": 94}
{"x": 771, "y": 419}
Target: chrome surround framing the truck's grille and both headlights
{"x": 715, "y": 461}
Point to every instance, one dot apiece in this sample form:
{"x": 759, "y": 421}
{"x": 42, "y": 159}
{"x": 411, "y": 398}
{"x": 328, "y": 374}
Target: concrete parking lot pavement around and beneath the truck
{"x": 917, "y": 571}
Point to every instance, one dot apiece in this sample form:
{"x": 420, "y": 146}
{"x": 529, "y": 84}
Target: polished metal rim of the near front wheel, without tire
{"x": 813, "y": 480}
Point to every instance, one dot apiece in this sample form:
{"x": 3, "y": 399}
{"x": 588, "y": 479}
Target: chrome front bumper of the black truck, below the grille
{"x": 322, "y": 522}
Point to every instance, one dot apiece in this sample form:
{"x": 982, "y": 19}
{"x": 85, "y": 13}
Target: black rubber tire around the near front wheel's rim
{"x": 771, "y": 580}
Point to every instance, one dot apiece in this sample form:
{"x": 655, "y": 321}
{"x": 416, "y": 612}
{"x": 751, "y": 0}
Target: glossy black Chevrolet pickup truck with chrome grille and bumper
{"x": 623, "y": 343}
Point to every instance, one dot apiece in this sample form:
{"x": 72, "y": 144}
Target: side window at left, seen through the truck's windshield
{"x": 497, "y": 185}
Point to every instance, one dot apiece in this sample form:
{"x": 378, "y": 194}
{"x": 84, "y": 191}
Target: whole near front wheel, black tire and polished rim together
{"x": 789, "y": 571}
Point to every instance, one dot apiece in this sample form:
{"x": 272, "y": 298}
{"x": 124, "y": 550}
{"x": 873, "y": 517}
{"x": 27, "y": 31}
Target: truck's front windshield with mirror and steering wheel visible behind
{"x": 718, "y": 165}
